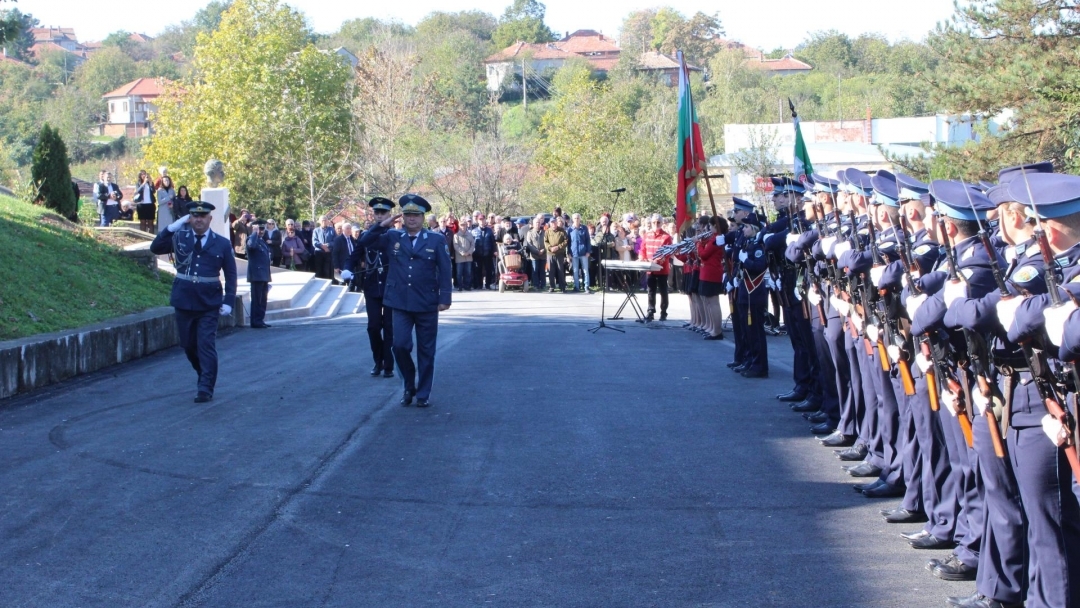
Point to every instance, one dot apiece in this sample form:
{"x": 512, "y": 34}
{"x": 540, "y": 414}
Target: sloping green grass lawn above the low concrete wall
{"x": 58, "y": 276}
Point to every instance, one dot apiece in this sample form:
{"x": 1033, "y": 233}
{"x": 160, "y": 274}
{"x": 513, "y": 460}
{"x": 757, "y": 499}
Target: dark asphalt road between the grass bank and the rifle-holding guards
{"x": 558, "y": 468}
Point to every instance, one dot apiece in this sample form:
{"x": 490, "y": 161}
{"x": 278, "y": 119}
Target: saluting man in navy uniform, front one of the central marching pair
{"x": 418, "y": 289}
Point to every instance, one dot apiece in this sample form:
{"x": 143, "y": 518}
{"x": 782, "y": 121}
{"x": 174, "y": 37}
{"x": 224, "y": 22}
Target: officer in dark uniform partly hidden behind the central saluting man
{"x": 373, "y": 266}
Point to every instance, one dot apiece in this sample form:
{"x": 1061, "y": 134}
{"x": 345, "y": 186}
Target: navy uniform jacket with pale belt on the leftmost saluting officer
{"x": 217, "y": 256}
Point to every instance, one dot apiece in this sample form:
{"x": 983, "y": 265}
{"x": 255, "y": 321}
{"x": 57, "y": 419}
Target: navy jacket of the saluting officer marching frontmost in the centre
{"x": 420, "y": 277}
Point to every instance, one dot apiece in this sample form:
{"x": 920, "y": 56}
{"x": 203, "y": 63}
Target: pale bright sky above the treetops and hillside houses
{"x": 753, "y": 23}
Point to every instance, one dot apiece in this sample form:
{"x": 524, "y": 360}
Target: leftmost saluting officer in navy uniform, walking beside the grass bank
{"x": 201, "y": 256}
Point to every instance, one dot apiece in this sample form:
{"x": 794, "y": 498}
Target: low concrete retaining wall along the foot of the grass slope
{"x": 39, "y": 361}
